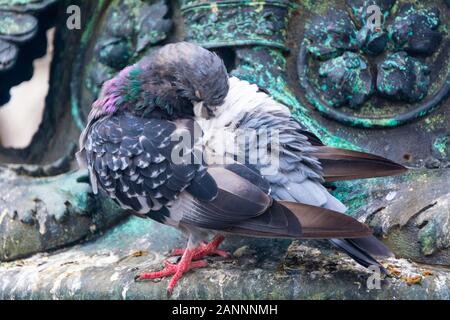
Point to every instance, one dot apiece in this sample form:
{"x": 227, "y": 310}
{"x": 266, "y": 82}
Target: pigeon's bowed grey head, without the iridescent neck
{"x": 183, "y": 73}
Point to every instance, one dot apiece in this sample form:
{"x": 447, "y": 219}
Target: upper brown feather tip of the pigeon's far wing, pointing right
{"x": 341, "y": 164}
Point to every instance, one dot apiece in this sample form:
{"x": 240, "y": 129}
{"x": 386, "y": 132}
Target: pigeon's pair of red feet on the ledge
{"x": 186, "y": 263}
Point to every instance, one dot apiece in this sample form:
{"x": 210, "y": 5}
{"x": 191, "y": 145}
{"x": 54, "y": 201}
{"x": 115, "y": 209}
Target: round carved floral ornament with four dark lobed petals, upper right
{"x": 345, "y": 63}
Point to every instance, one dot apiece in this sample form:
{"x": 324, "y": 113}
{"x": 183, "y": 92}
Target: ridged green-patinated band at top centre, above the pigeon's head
{"x": 230, "y": 23}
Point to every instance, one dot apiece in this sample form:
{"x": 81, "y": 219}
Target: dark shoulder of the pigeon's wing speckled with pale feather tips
{"x": 130, "y": 158}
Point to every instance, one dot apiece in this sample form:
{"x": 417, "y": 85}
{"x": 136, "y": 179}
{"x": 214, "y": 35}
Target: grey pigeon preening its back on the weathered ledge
{"x": 175, "y": 139}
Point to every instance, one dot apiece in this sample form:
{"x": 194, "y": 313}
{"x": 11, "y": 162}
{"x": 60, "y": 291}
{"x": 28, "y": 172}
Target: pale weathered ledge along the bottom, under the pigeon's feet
{"x": 271, "y": 269}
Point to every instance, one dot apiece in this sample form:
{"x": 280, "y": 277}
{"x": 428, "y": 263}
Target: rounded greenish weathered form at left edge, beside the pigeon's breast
{"x": 42, "y": 214}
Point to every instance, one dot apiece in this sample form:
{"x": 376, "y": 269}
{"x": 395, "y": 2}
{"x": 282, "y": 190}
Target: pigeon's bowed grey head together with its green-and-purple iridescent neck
{"x": 171, "y": 80}
